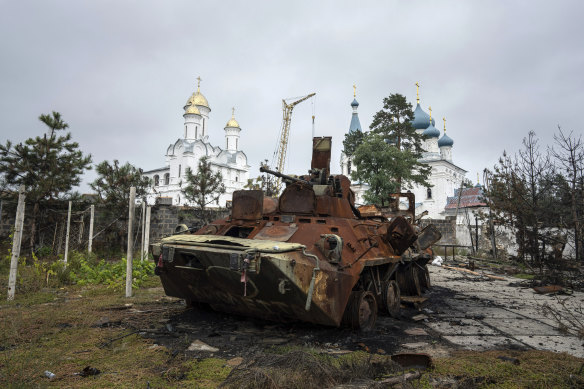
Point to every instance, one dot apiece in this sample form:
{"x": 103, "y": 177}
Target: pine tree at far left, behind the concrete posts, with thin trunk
{"x": 49, "y": 166}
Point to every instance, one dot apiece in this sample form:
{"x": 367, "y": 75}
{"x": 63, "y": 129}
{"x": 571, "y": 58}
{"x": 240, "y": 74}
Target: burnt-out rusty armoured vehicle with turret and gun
{"x": 308, "y": 255}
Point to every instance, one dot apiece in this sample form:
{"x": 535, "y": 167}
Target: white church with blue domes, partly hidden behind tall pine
{"x": 445, "y": 176}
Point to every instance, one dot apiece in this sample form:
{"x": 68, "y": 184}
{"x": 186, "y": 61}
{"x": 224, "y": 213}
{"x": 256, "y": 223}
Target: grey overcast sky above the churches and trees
{"x": 120, "y": 72}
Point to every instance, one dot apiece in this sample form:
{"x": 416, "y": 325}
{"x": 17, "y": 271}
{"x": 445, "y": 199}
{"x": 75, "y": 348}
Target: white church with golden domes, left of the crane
{"x": 185, "y": 152}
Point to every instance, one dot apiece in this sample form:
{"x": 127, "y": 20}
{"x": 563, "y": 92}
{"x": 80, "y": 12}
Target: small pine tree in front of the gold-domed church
{"x": 204, "y": 187}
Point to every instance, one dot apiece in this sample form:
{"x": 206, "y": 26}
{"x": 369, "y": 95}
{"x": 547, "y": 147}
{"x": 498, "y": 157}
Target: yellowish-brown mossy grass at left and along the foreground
{"x": 55, "y": 329}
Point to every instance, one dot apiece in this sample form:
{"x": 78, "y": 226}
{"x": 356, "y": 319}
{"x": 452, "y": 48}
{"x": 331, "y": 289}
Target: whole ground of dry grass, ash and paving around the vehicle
{"x": 479, "y": 332}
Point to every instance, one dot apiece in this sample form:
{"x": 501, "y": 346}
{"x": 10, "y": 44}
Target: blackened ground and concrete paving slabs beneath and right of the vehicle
{"x": 462, "y": 312}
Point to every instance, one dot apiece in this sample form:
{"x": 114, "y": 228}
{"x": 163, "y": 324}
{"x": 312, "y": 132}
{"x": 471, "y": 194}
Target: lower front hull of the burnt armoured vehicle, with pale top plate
{"x": 275, "y": 286}
